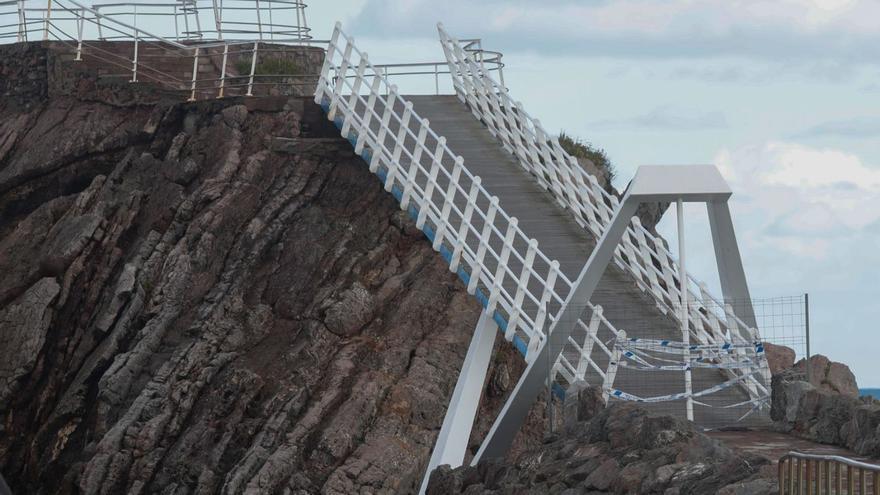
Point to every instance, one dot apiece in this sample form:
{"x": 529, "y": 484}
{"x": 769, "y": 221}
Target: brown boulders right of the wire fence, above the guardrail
{"x": 821, "y": 414}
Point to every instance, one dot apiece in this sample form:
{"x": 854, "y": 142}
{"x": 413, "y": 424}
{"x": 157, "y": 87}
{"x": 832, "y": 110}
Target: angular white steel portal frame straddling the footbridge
{"x": 651, "y": 184}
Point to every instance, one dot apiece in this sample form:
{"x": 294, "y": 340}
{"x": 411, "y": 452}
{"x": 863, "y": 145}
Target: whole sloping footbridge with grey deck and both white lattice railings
{"x": 517, "y": 222}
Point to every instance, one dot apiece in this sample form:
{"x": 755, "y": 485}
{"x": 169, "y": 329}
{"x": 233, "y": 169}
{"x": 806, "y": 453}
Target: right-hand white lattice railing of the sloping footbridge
{"x": 640, "y": 253}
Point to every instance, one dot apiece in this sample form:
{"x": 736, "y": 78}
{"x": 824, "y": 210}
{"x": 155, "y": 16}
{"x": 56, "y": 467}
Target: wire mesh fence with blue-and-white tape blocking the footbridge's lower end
{"x": 717, "y": 373}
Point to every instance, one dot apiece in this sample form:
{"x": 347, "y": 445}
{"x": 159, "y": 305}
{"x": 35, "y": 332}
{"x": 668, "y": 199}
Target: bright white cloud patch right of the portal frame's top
{"x": 814, "y": 203}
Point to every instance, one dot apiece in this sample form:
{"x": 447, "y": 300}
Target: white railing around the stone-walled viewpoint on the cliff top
{"x": 259, "y": 31}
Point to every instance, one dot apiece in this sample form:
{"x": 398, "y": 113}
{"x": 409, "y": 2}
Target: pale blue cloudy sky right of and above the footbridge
{"x": 783, "y": 96}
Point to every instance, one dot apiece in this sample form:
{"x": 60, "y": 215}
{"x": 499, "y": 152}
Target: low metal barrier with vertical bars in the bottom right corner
{"x": 809, "y": 474}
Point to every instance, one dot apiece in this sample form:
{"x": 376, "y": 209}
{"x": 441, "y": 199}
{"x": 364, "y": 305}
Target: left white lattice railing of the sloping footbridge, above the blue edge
{"x": 514, "y": 280}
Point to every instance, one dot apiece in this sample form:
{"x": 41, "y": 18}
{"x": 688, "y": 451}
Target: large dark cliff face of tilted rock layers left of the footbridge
{"x": 183, "y": 310}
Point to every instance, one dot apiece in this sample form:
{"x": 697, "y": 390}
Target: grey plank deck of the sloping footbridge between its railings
{"x": 561, "y": 238}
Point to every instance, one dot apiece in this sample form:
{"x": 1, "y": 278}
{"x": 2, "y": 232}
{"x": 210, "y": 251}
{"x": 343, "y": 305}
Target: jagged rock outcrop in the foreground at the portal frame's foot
{"x": 622, "y": 449}
